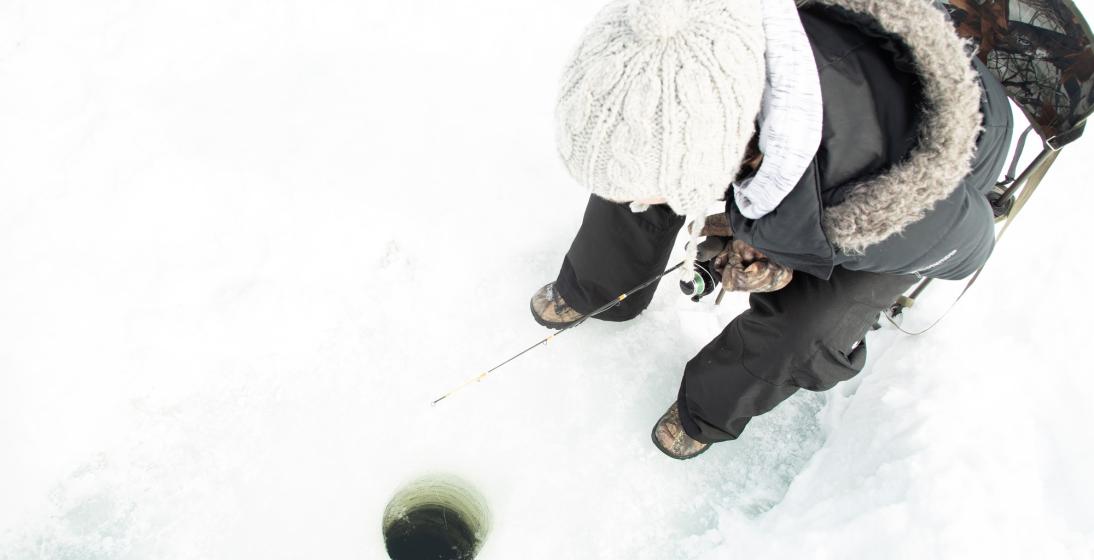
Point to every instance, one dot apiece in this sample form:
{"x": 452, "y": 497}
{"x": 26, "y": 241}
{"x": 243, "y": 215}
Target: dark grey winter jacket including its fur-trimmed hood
{"x": 915, "y": 134}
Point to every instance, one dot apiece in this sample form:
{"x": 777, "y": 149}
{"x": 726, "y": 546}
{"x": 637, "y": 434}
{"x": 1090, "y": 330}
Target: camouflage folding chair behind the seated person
{"x": 1042, "y": 53}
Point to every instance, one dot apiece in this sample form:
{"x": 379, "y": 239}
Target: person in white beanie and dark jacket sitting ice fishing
{"x": 872, "y": 157}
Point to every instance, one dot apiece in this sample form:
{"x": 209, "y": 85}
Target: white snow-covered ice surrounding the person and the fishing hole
{"x": 246, "y": 244}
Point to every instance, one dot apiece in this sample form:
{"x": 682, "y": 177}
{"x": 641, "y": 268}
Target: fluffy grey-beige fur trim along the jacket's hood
{"x": 884, "y": 206}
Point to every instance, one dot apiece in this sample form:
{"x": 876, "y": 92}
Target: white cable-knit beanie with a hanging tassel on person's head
{"x": 661, "y": 100}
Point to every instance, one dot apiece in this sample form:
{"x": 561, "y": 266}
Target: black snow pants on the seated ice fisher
{"x": 810, "y": 335}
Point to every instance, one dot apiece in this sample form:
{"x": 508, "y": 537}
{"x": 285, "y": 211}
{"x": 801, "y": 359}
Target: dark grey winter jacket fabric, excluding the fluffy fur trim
{"x": 874, "y": 104}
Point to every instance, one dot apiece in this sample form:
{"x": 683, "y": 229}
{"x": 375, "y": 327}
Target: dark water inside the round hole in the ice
{"x": 430, "y": 533}
